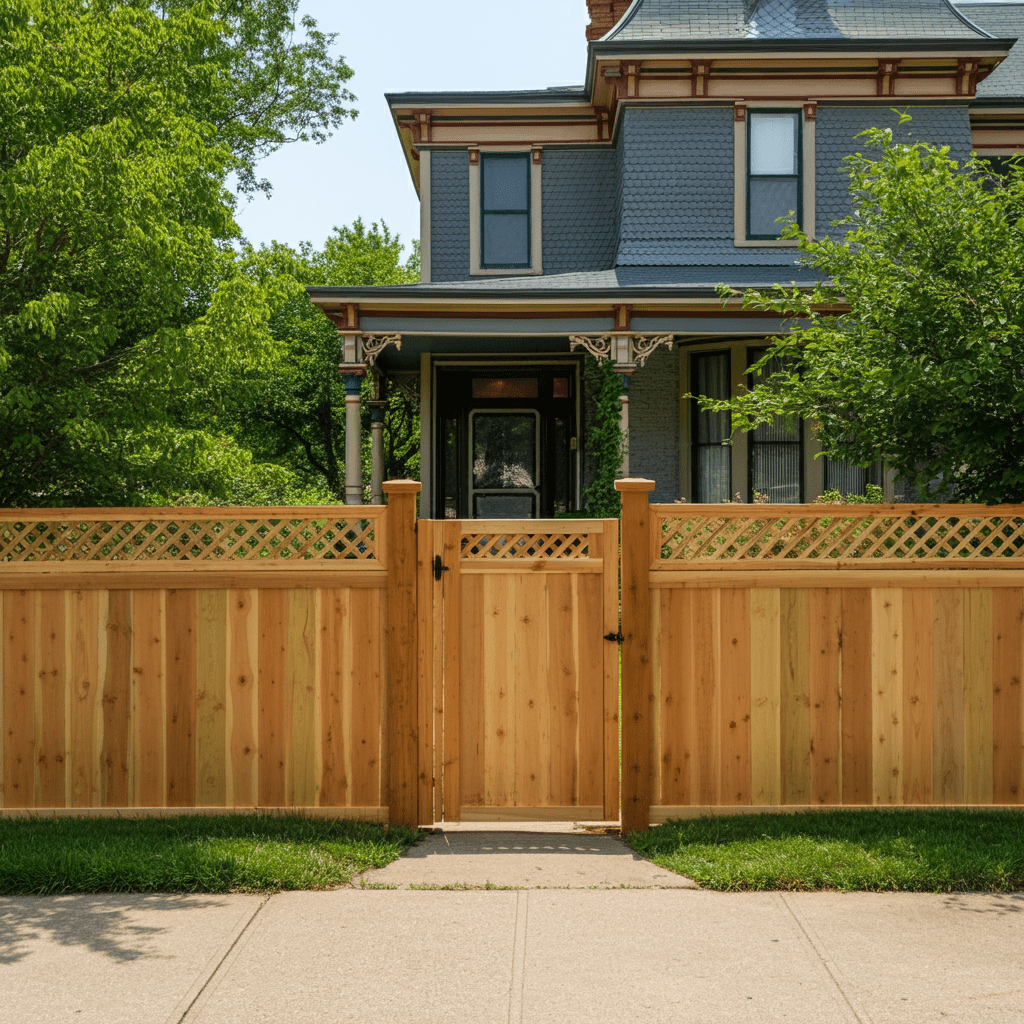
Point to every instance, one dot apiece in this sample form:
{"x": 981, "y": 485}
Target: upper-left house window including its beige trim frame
{"x": 505, "y": 211}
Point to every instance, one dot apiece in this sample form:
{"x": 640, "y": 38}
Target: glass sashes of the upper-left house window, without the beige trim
{"x": 505, "y": 210}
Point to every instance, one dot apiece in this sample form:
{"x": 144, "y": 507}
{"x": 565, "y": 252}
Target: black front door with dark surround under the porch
{"x": 506, "y": 442}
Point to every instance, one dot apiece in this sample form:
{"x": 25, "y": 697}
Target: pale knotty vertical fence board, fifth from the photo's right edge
{"x": 887, "y": 709}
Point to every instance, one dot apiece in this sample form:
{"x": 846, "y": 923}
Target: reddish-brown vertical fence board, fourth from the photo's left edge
{"x": 117, "y": 702}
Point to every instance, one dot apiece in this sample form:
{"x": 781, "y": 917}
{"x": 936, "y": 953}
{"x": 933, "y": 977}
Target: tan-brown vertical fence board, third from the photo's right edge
{"x": 948, "y": 698}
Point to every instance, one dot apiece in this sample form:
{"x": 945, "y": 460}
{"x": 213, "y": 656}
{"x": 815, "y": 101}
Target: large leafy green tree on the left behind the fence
{"x": 120, "y": 124}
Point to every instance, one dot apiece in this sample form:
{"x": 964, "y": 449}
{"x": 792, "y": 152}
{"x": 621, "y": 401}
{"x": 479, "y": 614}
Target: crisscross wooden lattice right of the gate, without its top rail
{"x": 763, "y": 538}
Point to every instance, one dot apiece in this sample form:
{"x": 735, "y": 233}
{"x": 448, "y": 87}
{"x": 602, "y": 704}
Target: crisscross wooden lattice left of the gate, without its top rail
{"x": 147, "y": 540}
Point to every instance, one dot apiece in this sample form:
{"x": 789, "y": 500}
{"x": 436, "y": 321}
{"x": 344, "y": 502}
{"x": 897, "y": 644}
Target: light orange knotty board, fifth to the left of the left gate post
{"x": 243, "y": 698}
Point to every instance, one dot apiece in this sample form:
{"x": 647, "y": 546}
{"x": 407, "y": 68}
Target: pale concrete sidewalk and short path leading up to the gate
{"x": 560, "y": 956}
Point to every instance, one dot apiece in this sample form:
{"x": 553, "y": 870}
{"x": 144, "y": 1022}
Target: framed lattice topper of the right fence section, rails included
{"x": 820, "y": 536}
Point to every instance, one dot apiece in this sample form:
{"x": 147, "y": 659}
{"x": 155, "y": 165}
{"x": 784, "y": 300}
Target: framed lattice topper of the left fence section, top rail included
{"x": 160, "y": 535}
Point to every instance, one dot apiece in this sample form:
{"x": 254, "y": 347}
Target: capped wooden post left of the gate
{"x": 403, "y": 671}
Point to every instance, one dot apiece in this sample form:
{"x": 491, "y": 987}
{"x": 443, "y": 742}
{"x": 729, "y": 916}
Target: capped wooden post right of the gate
{"x": 637, "y": 691}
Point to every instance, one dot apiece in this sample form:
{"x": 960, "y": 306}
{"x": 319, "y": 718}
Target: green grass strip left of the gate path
{"x": 253, "y": 854}
